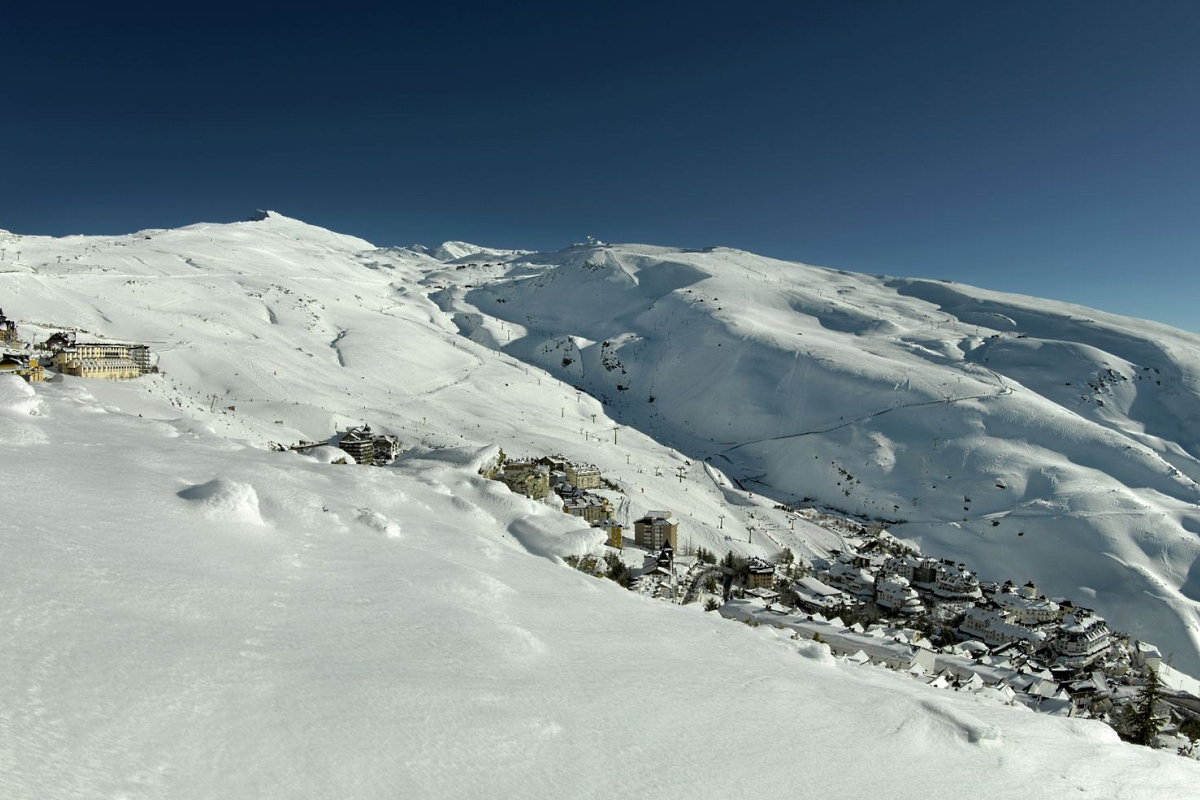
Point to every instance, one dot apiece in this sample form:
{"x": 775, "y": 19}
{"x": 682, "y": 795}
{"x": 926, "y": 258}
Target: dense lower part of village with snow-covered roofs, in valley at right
{"x": 1007, "y": 642}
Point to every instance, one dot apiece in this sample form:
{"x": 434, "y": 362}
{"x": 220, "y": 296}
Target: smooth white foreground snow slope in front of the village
{"x": 187, "y": 616}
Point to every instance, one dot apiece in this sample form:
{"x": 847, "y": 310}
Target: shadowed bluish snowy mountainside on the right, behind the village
{"x": 1030, "y": 440}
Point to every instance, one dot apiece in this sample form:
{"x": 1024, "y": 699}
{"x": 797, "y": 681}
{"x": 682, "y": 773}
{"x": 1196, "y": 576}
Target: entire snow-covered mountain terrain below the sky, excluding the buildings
{"x": 189, "y": 615}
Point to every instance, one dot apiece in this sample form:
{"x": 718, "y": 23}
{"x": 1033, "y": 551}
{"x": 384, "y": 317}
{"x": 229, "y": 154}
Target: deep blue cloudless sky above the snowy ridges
{"x": 1045, "y": 148}
